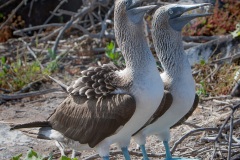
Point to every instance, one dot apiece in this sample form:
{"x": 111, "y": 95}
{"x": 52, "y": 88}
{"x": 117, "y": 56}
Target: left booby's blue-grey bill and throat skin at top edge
{"x": 136, "y": 11}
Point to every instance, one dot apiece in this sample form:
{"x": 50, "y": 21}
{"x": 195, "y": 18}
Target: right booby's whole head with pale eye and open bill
{"x": 173, "y": 15}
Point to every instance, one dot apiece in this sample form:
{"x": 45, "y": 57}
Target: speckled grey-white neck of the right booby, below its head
{"x": 170, "y": 51}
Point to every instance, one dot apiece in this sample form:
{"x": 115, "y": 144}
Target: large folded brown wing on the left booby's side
{"x": 90, "y": 121}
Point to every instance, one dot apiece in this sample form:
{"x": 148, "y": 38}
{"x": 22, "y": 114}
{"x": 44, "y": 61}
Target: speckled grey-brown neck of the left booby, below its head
{"x": 134, "y": 47}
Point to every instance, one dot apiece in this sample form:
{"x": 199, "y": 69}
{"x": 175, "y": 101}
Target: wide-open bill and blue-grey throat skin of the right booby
{"x": 178, "y": 20}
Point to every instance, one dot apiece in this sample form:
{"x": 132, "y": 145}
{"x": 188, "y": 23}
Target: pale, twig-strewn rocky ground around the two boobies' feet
{"x": 208, "y": 114}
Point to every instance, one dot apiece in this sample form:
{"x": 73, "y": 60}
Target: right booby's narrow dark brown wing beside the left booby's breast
{"x": 163, "y": 107}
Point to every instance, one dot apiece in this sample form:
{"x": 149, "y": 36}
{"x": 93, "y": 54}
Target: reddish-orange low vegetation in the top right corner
{"x": 223, "y": 20}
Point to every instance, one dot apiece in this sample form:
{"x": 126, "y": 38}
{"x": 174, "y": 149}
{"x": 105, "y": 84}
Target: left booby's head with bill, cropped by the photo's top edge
{"x": 131, "y": 10}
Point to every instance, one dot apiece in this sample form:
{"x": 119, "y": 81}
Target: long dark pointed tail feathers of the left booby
{"x": 31, "y": 125}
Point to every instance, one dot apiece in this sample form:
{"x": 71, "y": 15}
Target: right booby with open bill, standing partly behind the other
{"x": 167, "y": 24}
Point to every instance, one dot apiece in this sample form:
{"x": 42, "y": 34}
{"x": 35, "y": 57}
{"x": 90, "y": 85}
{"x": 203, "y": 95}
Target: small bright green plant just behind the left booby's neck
{"x": 112, "y": 54}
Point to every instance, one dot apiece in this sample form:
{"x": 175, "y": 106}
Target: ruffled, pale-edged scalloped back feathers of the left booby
{"x": 96, "y": 81}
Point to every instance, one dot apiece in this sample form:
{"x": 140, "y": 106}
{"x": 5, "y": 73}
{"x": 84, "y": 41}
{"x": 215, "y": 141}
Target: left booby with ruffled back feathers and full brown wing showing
{"x": 108, "y": 105}
